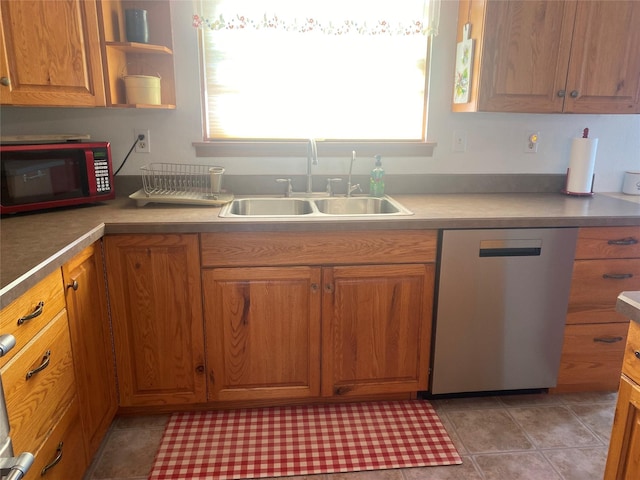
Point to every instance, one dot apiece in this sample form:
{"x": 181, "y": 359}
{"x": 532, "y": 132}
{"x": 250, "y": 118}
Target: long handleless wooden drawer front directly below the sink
{"x": 304, "y": 248}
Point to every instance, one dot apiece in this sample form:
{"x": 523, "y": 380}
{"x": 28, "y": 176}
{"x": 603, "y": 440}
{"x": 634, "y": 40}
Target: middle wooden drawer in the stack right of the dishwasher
{"x": 595, "y": 287}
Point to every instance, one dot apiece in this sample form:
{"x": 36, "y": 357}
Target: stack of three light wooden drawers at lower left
{"x": 39, "y": 383}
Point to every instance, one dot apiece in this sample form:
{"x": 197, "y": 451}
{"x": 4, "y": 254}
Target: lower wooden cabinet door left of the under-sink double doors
{"x": 156, "y": 306}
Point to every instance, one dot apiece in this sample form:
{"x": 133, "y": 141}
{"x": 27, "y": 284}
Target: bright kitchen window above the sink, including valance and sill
{"x": 344, "y": 71}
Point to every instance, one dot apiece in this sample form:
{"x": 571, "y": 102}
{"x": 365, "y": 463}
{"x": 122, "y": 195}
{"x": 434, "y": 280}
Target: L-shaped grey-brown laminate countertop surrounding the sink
{"x": 34, "y": 245}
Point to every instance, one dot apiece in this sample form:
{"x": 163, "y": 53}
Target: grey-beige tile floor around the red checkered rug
{"x": 513, "y": 437}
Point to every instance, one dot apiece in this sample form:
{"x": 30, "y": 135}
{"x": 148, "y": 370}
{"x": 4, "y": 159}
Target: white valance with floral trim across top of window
{"x": 329, "y": 17}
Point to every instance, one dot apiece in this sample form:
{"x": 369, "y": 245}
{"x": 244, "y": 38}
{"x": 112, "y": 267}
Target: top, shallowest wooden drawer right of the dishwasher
{"x": 608, "y": 242}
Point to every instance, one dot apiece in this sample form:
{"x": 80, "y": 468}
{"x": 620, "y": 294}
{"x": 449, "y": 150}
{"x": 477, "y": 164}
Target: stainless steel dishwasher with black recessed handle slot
{"x": 501, "y": 305}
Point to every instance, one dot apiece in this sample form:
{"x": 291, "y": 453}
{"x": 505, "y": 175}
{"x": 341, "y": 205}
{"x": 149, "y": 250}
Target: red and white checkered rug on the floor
{"x": 302, "y": 440}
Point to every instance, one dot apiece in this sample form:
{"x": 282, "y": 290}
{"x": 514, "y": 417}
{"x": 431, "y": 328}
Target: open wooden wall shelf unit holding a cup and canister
{"x": 122, "y": 57}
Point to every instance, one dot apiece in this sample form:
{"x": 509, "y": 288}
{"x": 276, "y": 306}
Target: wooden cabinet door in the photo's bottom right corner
{"x": 623, "y": 461}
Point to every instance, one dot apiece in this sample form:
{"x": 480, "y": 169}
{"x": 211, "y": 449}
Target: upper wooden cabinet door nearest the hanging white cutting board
{"x": 525, "y": 54}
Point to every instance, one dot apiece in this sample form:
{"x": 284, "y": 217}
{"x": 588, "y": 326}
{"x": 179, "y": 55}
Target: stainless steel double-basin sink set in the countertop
{"x": 313, "y": 207}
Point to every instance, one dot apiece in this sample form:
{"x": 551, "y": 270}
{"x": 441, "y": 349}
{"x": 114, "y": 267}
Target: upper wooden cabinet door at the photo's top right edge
{"x": 604, "y": 71}
